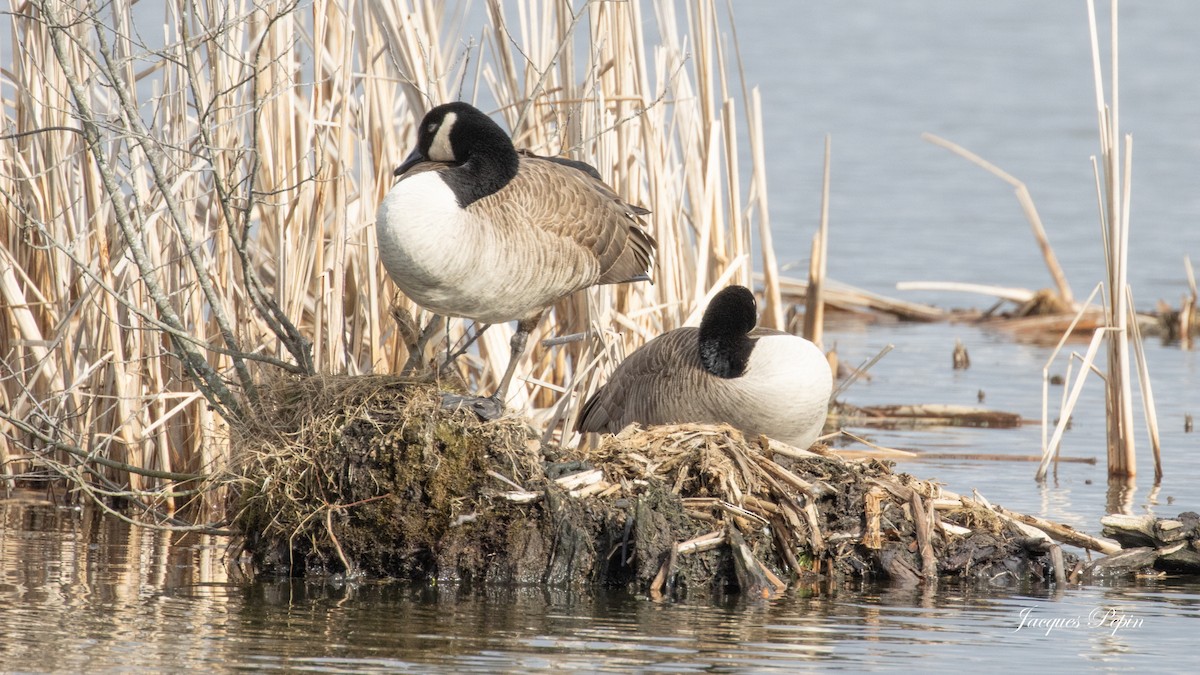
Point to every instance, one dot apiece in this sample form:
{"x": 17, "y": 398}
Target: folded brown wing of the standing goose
{"x": 567, "y": 198}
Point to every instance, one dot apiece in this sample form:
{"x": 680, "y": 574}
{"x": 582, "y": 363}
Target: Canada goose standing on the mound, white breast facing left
{"x": 477, "y": 230}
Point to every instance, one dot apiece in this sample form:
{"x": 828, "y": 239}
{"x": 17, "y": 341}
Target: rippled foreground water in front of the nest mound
{"x": 80, "y": 593}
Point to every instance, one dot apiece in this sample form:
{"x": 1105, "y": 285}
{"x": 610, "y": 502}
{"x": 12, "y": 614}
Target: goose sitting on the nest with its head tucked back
{"x": 759, "y": 380}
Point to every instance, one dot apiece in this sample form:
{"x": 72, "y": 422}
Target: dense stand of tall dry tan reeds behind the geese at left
{"x": 188, "y": 202}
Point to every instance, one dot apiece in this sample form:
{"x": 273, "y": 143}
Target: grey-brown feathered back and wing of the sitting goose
{"x": 651, "y": 387}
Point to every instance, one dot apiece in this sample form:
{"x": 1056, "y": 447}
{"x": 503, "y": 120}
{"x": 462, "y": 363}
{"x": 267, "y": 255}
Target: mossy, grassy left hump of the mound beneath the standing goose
{"x": 369, "y": 465}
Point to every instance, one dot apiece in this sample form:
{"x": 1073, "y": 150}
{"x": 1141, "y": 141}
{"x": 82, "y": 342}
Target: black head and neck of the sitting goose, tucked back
{"x": 725, "y": 344}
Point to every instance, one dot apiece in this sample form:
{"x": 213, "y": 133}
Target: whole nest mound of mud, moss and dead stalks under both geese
{"x": 371, "y": 475}
